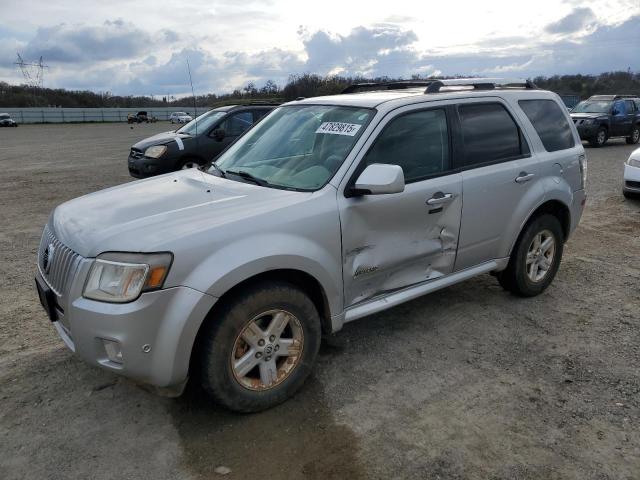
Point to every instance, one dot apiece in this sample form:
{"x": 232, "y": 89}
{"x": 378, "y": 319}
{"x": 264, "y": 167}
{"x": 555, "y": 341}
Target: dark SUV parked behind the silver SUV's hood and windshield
{"x": 196, "y": 143}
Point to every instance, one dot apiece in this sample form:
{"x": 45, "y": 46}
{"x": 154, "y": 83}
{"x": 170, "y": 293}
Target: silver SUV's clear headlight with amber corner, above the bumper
{"x": 122, "y": 277}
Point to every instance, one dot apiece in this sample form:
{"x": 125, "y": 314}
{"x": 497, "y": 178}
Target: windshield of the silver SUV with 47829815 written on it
{"x": 297, "y": 147}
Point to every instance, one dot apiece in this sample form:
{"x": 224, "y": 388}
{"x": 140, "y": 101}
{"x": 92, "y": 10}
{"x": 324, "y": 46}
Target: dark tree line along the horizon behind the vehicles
{"x": 304, "y": 85}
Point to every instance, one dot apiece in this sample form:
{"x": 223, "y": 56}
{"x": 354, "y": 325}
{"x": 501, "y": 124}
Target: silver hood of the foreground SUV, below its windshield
{"x": 160, "y": 213}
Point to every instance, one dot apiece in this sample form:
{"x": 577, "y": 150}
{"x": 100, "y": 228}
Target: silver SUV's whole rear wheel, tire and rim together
{"x": 535, "y": 258}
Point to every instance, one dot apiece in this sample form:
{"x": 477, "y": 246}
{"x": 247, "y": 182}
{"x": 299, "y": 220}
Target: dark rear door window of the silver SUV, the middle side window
{"x": 489, "y": 134}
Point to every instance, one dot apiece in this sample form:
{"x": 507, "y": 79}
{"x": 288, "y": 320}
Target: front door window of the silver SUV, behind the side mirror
{"x": 418, "y": 142}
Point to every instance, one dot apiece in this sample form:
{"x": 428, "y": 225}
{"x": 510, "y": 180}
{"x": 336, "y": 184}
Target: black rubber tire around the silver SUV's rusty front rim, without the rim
{"x": 223, "y": 330}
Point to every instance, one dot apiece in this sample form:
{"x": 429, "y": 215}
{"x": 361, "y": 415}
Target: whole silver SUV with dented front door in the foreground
{"x": 329, "y": 210}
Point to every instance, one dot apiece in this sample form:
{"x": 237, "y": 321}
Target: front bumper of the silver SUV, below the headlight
{"x": 155, "y": 334}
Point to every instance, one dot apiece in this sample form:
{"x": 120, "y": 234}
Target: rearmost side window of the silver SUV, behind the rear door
{"x": 550, "y": 124}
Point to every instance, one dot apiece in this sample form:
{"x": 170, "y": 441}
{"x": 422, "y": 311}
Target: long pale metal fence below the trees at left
{"x": 75, "y": 115}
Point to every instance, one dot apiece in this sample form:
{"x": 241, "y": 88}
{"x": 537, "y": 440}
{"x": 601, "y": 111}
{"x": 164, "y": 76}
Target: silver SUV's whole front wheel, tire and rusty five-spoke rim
{"x": 260, "y": 348}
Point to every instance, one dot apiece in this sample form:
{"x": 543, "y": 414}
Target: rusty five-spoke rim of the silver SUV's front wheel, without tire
{"x": 267, "y": 350}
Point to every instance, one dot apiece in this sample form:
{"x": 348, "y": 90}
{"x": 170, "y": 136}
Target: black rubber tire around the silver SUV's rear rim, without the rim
{"x": 515, "y": 277}
